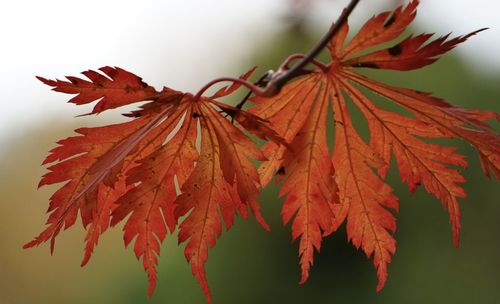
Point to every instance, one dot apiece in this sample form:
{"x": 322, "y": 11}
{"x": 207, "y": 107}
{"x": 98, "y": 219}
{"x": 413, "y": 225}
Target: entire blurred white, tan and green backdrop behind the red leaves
{"x": 184, "y": 44}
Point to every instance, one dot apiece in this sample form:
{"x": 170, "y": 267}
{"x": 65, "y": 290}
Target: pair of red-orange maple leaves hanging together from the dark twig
{"x": 181, "y": 164}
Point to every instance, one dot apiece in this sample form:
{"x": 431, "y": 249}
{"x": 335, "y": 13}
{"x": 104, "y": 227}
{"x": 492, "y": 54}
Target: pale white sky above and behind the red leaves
{"x": 182, "y": 44}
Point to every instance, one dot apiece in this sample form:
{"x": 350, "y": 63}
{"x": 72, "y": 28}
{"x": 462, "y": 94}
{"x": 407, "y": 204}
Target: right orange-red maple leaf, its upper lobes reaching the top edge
{"x": 346, "y": 188}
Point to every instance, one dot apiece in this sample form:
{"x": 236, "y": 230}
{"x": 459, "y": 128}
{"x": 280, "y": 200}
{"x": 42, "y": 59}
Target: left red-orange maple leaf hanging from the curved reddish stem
{"x": 134, "y": 170}
